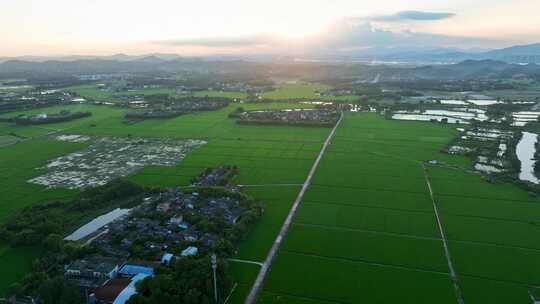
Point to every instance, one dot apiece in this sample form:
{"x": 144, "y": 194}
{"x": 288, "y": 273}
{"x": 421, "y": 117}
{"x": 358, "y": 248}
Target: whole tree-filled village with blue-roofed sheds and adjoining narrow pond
{"x": 207, "y": 218}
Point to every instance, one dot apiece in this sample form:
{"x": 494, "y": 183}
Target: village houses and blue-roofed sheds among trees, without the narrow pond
{"x": 166, "y": 226}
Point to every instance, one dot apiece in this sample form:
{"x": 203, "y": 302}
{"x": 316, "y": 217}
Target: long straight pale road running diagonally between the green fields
{"x": 257, "y": 285}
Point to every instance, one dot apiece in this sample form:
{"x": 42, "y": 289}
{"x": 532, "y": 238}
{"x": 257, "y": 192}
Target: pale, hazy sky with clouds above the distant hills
{"x": 204, "y": 27}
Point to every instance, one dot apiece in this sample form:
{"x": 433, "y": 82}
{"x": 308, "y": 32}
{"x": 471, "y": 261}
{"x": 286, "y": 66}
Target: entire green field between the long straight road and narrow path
{"x": 367, "y": 221}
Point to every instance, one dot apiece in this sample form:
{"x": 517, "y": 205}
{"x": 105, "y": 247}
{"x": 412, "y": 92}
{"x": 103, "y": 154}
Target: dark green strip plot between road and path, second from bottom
{"x": 366, "y": 246}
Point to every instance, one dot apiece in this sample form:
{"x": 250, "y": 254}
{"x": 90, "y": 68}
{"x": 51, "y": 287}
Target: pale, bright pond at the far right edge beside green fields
{"x": 525, "y": 151}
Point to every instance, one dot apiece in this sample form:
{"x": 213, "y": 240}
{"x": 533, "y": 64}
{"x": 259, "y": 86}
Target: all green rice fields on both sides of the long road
{"x": 365, "y": 231}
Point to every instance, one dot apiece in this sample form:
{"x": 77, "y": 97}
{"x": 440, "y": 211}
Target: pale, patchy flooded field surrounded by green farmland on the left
{"x": 107, "y": 158}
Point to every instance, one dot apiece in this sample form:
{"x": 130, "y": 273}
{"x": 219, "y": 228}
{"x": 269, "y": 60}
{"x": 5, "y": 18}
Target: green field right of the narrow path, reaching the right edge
{"x": 493, "y": 236}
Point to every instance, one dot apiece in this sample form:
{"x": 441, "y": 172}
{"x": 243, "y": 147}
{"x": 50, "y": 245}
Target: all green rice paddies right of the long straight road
{"x": 366, "y": 230}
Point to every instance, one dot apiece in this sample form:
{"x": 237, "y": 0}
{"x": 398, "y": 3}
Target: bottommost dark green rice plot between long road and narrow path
{"x": 328, "y": 280}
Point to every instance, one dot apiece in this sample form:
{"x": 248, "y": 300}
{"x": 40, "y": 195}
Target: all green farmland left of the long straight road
{"x": 265, "y": 155}
